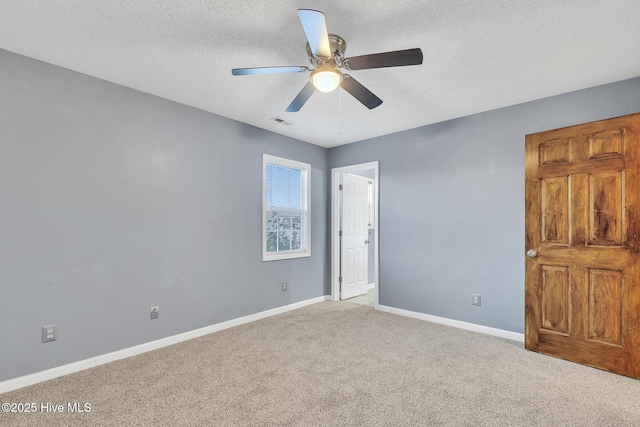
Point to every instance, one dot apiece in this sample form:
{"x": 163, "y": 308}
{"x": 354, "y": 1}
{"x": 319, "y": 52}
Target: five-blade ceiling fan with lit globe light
{"x": 326, "y": 54}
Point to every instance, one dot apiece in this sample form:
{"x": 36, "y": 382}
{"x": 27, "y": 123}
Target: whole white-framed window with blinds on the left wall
{"x": 286, "y": 198}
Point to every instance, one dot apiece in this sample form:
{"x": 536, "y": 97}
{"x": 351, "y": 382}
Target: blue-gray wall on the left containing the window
{"x": 113, "y": 201}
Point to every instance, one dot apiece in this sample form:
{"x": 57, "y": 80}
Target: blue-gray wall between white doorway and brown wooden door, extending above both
{"x": 452, "y": 204}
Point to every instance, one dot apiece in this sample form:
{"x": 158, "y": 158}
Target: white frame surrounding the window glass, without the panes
{"x": 305, "y": 184}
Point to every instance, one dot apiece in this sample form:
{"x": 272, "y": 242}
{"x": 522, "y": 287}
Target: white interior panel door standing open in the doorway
{"x": 354, "y": 253}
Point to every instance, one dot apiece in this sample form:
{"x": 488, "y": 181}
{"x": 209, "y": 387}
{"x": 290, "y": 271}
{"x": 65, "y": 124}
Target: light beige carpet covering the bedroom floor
{"x": 338, "y": 364}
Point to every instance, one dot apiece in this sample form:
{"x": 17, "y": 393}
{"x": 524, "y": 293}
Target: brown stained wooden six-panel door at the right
{"x": 582, "y": 289}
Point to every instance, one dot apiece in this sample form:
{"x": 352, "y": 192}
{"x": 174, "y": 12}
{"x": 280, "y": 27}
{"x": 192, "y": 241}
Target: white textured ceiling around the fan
{"x": 478, "y": 55}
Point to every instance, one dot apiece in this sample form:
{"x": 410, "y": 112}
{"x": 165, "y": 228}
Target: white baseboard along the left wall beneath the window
{"x": 37, "y": 377}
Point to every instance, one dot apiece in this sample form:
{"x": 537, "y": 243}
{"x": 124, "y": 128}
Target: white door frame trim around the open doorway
{"x": 336, "y": 174}
